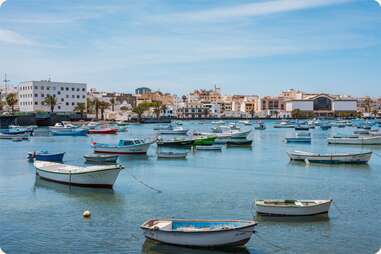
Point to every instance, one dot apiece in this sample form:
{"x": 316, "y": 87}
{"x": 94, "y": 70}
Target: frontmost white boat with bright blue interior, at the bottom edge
{"x": 199, "y": 233}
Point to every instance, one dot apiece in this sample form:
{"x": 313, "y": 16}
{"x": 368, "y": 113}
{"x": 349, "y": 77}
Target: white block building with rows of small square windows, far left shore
{"x": 31, "y": 95}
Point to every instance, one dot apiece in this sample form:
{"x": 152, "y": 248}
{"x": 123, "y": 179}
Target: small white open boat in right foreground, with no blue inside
{"x": 280, "y": 207}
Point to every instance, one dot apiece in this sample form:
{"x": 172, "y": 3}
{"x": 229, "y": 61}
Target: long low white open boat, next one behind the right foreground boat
{"x": 351, "y": 158}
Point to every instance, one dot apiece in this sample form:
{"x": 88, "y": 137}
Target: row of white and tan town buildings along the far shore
{"x": 197, "y": 104}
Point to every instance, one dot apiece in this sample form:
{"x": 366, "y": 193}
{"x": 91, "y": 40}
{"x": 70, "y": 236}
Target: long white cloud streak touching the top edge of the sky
{"x": 257, "y": 9}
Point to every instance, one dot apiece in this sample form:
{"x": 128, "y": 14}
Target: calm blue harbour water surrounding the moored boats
{"x": 43, "y": 217}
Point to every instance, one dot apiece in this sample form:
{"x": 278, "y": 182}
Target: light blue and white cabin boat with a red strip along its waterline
{"x": 128, "y": 146}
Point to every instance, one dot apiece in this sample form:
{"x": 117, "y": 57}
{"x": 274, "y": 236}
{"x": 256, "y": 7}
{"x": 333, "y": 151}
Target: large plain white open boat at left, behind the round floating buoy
{"x": 95, "y": 176}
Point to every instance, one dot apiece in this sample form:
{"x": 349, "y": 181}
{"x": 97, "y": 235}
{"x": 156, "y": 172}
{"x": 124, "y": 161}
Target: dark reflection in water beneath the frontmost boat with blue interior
{"x": 153, "y": 247}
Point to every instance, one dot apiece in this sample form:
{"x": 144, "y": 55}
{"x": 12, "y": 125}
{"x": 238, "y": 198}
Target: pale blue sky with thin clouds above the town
{"x": 242, "y": 46}
